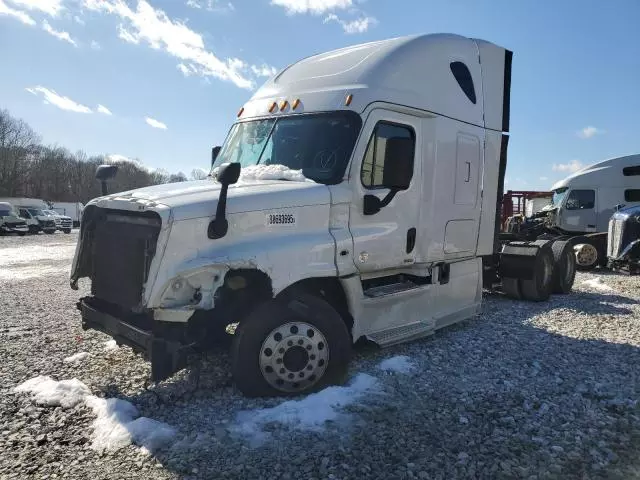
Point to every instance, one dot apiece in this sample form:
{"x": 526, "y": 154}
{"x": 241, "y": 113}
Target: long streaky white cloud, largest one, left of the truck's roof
{"x": 146, "y": 25}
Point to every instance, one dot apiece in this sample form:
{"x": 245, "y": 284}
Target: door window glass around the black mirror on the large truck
{"x": 373, "y": 164}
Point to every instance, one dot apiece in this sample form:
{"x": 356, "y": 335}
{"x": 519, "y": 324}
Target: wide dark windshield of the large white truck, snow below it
{"x": 318, "y": 144}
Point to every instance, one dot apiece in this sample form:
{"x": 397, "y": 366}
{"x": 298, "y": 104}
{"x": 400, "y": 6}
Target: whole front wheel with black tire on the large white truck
{"x": 289, "y": 347}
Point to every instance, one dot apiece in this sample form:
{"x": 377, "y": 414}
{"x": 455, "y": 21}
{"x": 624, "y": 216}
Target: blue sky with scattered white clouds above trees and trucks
{"x": 162, "y": 80}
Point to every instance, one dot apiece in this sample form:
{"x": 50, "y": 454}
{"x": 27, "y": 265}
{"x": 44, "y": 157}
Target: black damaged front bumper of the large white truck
{"x": 164, "y": 345}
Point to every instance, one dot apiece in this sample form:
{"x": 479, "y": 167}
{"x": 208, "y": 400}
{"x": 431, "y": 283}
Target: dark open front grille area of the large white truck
{"x": 123, "y": 247}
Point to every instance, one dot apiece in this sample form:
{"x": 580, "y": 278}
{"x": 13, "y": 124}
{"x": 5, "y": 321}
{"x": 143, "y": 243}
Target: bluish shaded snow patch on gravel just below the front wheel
{"x": 309, "y": 413}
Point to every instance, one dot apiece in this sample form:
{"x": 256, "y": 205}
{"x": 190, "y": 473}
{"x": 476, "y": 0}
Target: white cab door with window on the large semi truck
{"x": 385, "y": 239}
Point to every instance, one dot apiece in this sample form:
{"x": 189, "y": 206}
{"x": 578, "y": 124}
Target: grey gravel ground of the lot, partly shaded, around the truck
{"x": 522, "y": 391}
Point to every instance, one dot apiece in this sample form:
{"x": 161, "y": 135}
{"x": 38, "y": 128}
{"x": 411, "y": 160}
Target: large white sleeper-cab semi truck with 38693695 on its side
{"x": 355, "y": 197}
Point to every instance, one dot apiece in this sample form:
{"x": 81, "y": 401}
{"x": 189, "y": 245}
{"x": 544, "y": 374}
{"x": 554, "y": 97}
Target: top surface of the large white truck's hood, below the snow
{"x": 197, "y": 199}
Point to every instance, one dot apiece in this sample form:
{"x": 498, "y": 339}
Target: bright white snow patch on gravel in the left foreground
{"x": 117, "y": 422}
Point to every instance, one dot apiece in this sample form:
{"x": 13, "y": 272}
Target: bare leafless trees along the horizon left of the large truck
{"x": 53, "y": 173}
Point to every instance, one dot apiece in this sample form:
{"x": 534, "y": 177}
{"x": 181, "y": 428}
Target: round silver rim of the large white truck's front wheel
{"x": 294, "y": 357}
